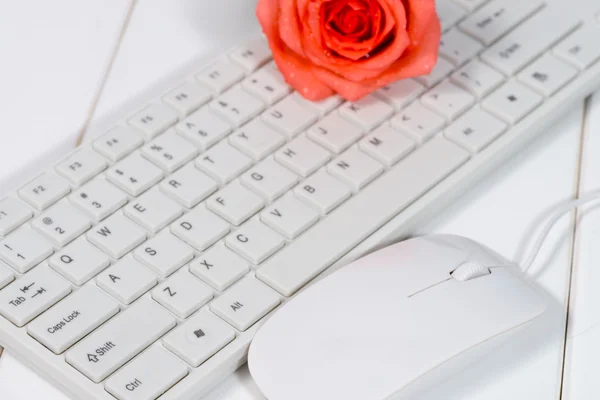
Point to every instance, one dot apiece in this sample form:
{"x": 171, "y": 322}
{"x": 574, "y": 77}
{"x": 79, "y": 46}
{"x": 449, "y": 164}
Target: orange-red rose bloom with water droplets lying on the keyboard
{"x": 350, "y": 47}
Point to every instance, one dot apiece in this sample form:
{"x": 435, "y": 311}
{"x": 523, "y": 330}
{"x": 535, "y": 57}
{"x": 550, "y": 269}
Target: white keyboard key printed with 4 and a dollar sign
{"x": 134, "y": 174}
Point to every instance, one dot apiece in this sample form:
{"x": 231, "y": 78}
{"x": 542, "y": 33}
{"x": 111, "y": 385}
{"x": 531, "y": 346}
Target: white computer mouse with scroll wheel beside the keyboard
{"x": 394, "y": 322}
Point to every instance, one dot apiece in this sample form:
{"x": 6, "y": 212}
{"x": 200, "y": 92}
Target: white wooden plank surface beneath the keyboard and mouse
{"x": 56, "y": 75}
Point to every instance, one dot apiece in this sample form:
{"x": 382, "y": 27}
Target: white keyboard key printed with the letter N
{"x": 355, "y": 168}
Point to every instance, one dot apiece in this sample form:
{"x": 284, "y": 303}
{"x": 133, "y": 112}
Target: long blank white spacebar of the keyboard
{"x": 362, "y": 215}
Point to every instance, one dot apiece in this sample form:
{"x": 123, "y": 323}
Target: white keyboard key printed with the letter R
{"x": 188, "y": 186}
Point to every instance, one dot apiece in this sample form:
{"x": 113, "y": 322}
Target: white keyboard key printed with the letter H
{"x": 302, "y": 156}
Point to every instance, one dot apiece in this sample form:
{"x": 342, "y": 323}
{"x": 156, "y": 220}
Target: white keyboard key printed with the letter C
{"x": 254, "y": 241}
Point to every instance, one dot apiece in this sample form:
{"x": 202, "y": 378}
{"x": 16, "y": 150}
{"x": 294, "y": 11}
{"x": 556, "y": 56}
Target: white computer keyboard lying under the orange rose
{"x": 142, "y": 264}
